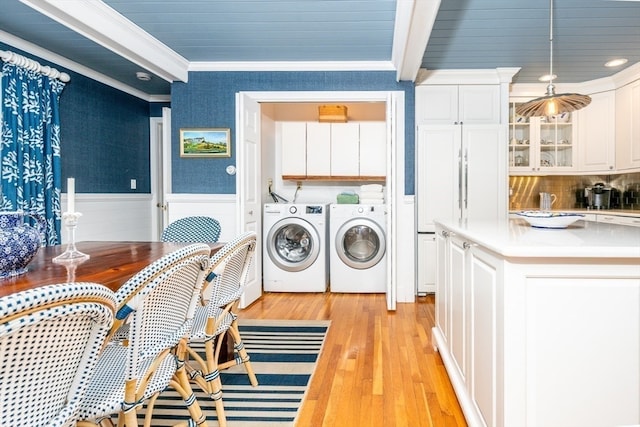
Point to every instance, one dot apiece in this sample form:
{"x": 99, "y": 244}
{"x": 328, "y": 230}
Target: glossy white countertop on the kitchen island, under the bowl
{"x": 582, "y": 239}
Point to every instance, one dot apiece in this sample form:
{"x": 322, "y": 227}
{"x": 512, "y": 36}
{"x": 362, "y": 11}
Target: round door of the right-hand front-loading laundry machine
{"x": 360, "y": 243}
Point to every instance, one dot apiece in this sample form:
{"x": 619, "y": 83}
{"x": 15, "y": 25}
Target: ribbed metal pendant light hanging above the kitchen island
{"x": 552, "y": 104}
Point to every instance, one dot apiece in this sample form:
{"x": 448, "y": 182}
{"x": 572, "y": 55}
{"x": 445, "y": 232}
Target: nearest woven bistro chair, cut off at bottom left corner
{"x": 50, "y": 339}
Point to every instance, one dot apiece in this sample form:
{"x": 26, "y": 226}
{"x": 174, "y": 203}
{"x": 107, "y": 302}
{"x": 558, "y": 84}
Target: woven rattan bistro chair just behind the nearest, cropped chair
{"x": 133, "y": 371}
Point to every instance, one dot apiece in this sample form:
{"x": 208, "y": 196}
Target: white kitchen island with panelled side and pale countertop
{"x": 540, "y": 327}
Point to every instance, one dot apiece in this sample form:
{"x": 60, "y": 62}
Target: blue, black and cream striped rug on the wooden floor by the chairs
{"x": 284, "y": 355}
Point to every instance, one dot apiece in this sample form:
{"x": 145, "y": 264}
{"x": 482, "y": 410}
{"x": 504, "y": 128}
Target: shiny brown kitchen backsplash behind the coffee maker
{"x": 569, "y": 190}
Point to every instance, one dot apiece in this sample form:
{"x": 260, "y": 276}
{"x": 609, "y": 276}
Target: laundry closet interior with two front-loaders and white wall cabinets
{"x": 323, "y": 175}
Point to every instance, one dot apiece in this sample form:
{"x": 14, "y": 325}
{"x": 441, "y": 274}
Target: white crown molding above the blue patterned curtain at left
{"x": 61, "y": 61}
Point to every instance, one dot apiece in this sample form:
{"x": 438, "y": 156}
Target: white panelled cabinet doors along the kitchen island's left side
{"x": 467, "y": 290}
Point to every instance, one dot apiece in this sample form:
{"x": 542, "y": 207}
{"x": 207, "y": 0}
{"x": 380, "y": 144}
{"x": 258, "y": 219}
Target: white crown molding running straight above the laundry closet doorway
{"x": 291, "y": 66}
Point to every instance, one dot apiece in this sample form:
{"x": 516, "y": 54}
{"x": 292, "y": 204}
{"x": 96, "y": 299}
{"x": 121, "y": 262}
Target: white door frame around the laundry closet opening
{"x": 395, "y": 177}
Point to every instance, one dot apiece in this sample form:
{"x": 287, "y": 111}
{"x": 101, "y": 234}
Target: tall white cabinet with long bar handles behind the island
{"x": 461, "y": 155}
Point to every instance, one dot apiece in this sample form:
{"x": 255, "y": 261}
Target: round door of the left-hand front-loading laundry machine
{"x": 293, "y": 244}
